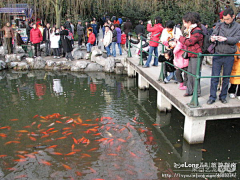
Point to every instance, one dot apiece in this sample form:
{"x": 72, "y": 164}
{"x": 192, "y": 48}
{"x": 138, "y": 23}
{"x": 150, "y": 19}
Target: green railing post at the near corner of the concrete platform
{"x": 194, "y": 102}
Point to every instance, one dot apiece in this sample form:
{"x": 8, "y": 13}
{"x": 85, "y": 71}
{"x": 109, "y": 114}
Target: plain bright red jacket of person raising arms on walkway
{"x": 156, "y": 31}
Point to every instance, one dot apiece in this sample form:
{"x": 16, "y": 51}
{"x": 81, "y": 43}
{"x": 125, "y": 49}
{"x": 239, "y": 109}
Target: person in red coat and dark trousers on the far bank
{"x": 36, "y": 38}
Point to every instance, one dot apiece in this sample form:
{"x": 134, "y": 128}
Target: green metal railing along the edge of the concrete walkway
{"x": 194, "y": 103}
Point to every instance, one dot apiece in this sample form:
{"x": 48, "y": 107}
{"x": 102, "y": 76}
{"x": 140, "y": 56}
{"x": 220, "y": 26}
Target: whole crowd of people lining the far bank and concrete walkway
{"x": 225, "y": 35}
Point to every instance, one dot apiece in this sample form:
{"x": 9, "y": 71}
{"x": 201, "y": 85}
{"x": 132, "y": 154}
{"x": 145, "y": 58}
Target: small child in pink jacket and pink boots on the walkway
{"x": 179, "y": 62}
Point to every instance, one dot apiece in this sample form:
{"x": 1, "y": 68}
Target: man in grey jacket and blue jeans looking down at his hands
{"x": 226, "y": 35}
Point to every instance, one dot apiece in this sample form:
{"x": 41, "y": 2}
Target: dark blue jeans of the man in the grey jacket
{"x": 218, "y": 62}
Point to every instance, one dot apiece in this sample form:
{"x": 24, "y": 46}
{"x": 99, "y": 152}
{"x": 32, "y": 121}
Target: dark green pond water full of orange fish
{"x": 62, "y": 125}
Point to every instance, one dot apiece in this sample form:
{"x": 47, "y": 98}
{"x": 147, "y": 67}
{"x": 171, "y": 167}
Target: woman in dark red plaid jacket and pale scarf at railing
{"x": 194, "y": 42}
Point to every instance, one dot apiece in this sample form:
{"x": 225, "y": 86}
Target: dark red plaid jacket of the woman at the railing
{"x": 194, "y": 43}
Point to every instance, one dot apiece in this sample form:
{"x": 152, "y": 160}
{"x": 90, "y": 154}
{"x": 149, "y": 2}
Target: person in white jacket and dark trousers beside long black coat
{"x": 54, "y": 39}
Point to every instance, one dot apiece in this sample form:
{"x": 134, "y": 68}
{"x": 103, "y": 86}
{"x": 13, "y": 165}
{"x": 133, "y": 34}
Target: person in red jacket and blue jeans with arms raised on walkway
{"x": 156, "y": 32}
